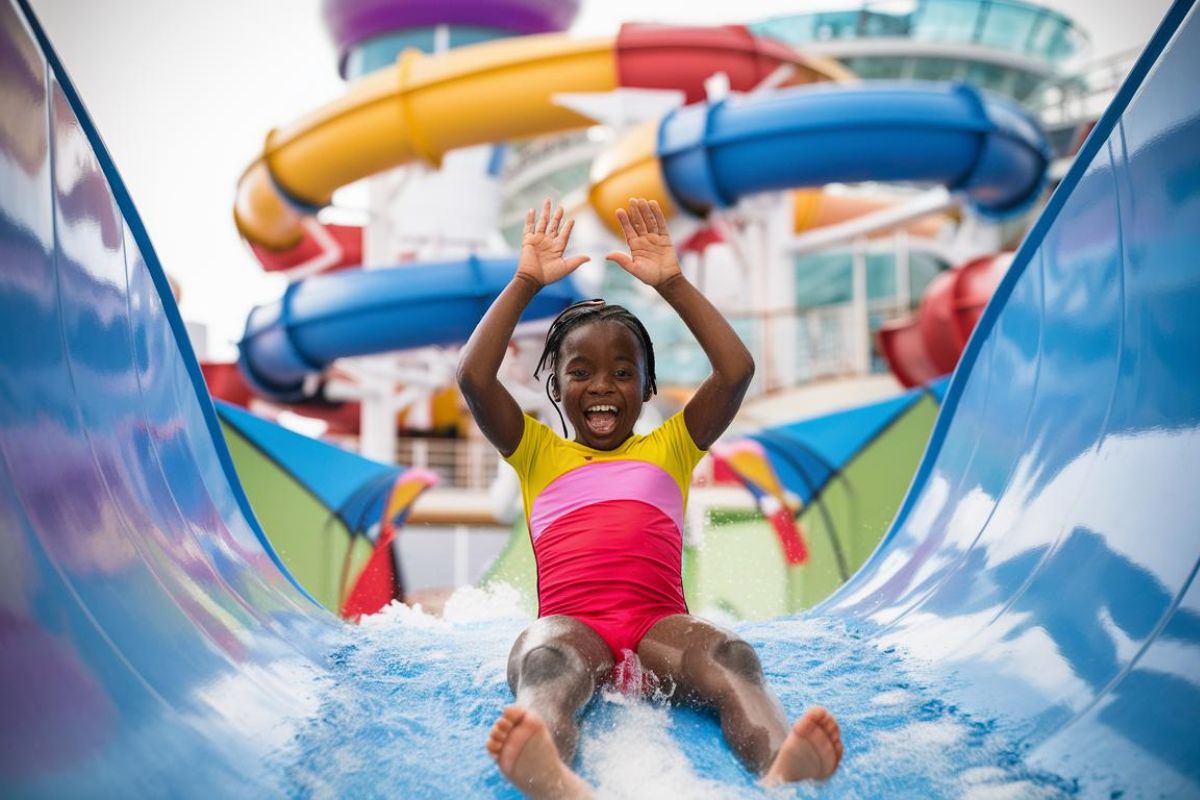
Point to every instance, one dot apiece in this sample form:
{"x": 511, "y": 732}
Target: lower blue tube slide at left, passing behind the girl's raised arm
{"x": 363, "y": 312}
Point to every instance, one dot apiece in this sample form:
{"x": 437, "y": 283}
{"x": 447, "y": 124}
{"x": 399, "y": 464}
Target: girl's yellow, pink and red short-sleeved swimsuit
{"x": 608, "y": 527}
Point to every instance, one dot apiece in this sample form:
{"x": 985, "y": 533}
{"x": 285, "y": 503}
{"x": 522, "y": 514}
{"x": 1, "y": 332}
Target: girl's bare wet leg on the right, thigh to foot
{"x": 716, "y": 670}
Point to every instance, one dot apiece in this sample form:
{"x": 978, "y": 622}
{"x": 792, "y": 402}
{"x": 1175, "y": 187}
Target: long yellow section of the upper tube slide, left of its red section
{"x": 418, "y": 111}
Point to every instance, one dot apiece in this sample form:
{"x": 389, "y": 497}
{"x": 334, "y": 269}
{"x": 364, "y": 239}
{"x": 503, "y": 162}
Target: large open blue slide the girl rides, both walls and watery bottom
{"x": 1042, "y": 569}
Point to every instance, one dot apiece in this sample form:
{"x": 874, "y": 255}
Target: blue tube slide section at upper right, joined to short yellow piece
{"x": 985, "y": 147}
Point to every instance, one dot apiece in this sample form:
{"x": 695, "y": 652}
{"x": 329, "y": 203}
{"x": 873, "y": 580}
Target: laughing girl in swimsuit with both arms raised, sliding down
{"x": 605, "y": 514}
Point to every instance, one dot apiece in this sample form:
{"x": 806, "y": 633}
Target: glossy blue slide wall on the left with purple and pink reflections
{"x": 148, "y": 624}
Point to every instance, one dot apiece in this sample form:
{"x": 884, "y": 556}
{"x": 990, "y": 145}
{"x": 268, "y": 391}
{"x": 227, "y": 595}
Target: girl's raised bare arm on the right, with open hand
{"x": 653, "y": 261}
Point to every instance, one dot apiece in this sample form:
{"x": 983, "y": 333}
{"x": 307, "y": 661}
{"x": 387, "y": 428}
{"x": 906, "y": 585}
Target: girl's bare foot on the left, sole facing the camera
{"x": 525, "y": 751}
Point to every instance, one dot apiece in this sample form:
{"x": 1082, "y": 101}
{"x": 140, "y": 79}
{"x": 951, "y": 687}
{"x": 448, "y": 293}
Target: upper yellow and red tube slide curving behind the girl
{"x": 427, "y": 106}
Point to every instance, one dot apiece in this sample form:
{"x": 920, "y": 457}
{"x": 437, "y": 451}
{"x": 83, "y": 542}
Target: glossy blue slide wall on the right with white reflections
{"x": 1047, "y": 552}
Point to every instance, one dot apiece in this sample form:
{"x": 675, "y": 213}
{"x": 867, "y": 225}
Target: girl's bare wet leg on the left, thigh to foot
{"x": 554, "y": 670}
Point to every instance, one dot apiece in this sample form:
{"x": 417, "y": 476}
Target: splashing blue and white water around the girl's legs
{"x": 410, "y": 699}
